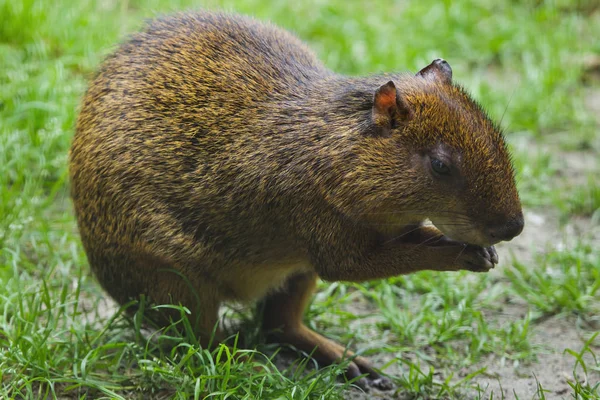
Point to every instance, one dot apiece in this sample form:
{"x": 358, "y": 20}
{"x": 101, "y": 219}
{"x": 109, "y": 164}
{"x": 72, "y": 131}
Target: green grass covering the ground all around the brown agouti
{"x": 432, "y": 332}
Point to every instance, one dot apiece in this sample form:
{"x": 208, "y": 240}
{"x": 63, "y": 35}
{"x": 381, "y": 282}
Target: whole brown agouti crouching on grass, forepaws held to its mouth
{"x": 215, "y": 159}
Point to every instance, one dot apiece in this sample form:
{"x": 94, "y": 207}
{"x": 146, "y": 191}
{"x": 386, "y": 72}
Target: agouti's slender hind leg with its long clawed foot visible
{"x": 282, "y": 316}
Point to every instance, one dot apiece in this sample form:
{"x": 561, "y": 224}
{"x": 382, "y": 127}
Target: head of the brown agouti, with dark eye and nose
{"x": 432, "y": 152}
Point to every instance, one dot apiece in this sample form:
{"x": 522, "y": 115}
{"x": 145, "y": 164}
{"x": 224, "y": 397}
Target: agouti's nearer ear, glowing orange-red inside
{"x": 389, "y": 110}
